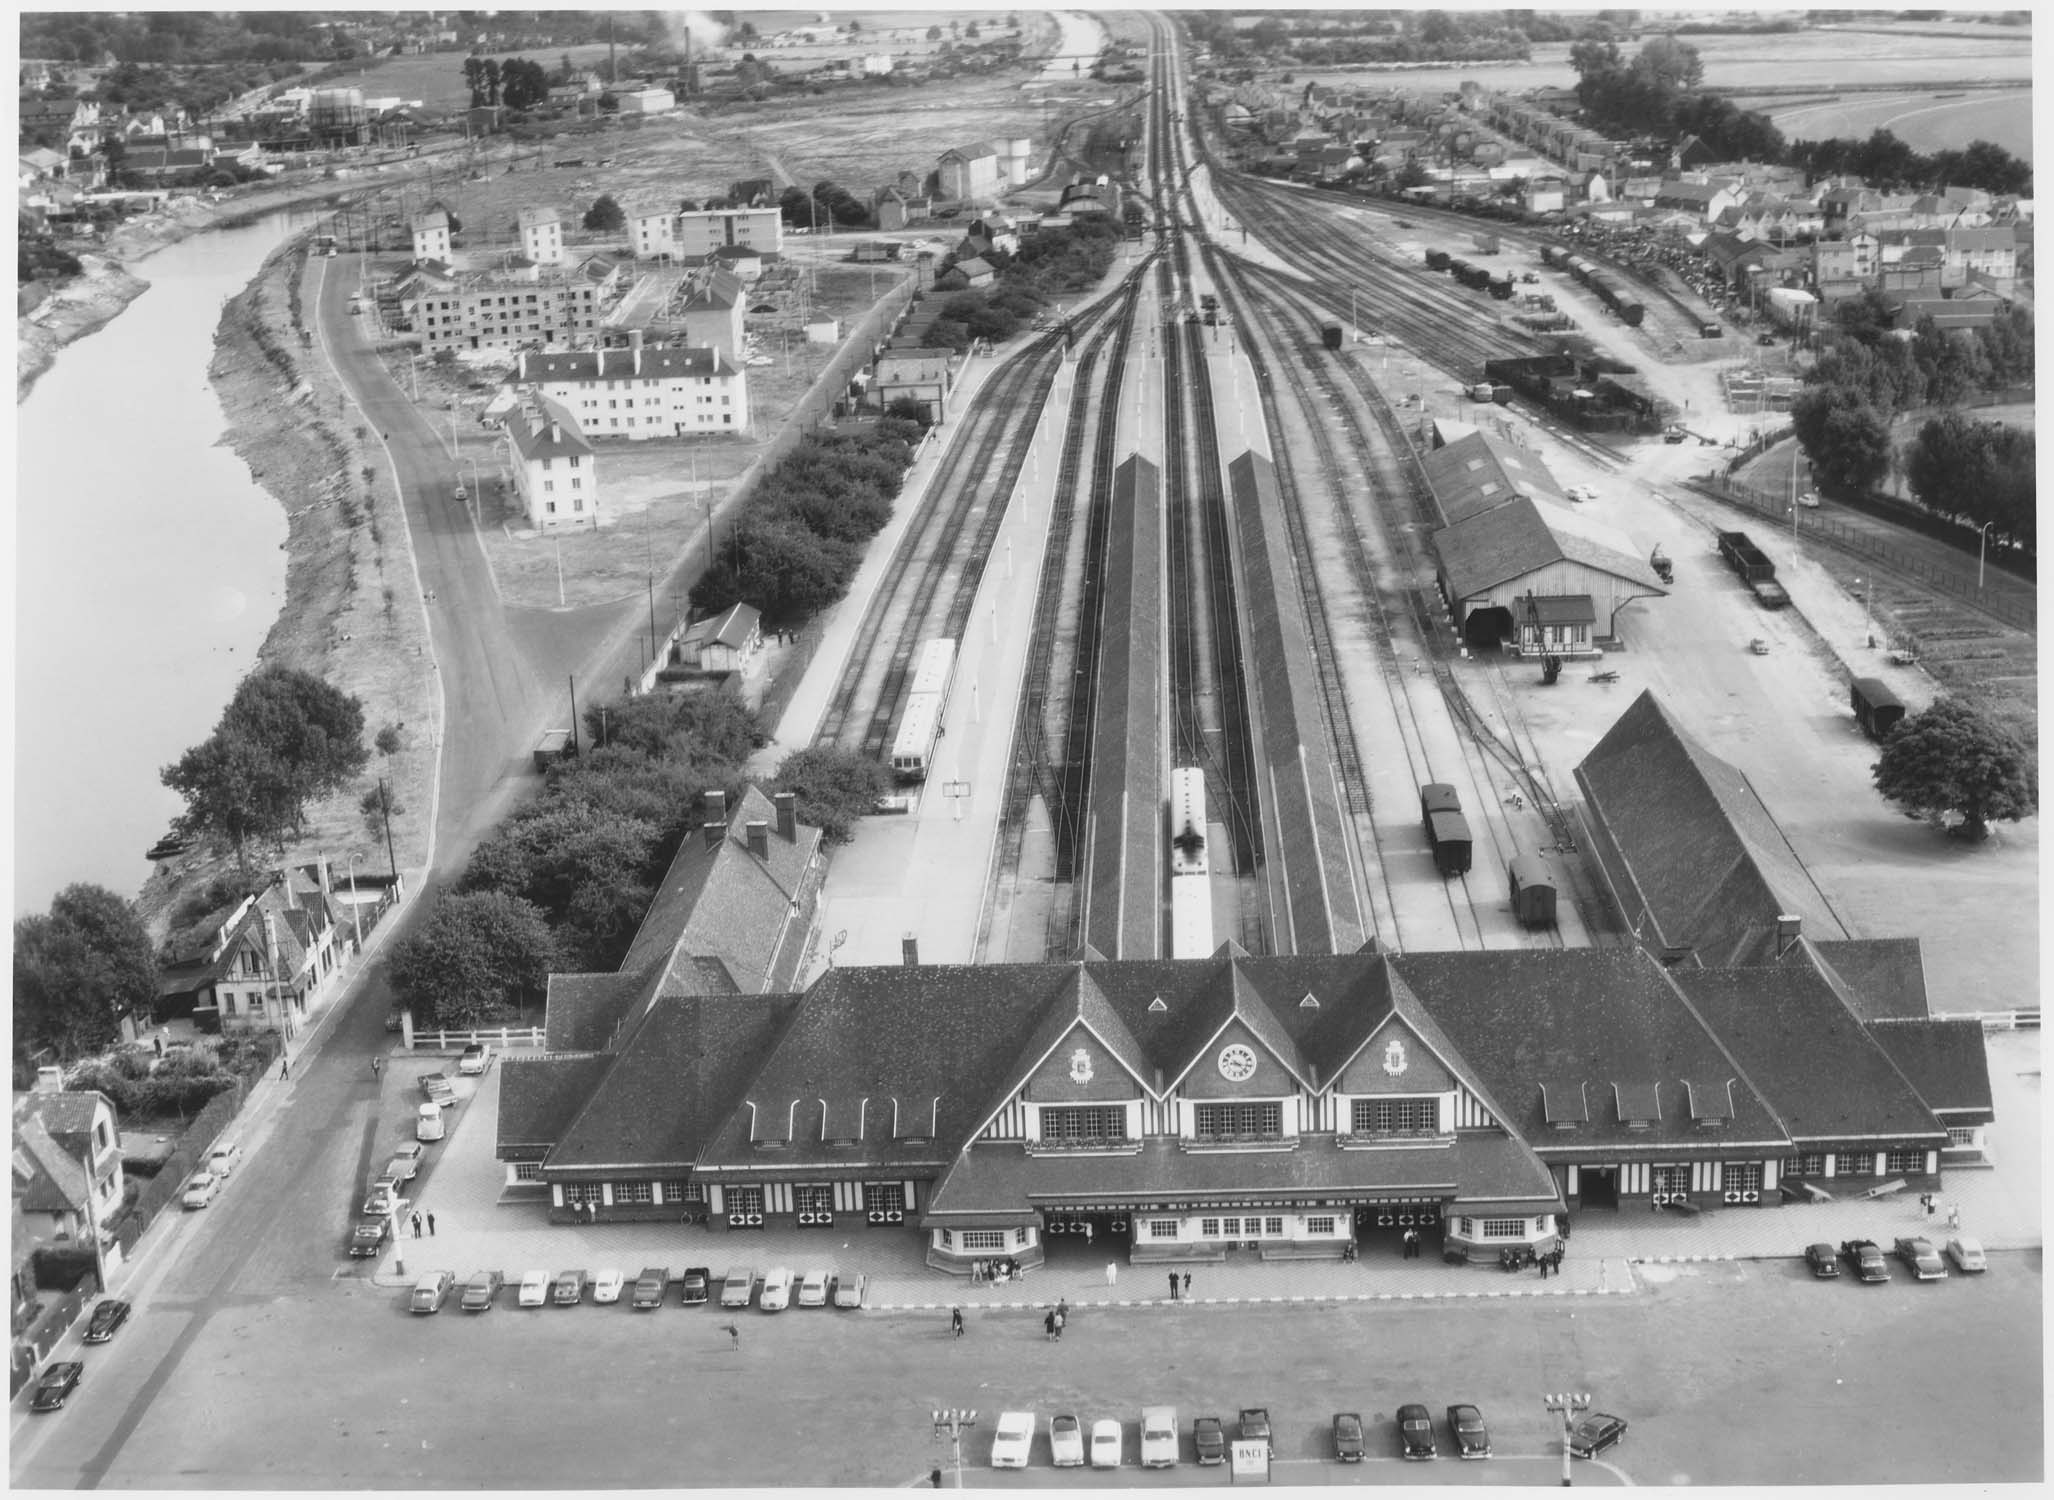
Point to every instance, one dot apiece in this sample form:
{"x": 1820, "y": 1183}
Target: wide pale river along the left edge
{"x": 147, "y": 566}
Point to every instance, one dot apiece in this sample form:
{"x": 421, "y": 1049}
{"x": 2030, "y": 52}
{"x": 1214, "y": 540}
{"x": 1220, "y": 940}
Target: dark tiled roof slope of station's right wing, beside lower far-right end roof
{"x": 1823, "y": 1074}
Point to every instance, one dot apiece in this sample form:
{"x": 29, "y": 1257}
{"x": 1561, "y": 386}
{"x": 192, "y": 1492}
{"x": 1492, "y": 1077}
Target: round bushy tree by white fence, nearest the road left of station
{"x": 476, "y": 961}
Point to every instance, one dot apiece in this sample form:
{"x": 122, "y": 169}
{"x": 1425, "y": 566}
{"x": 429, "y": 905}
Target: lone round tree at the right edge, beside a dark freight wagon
{"x": 1952, "y": 759}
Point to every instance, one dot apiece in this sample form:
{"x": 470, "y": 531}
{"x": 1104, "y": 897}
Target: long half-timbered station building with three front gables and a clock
{"x": 1190, "y": 1109}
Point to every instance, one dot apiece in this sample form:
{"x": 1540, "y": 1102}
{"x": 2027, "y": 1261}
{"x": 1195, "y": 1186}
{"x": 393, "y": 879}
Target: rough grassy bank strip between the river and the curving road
{"x": 352, "y": 613}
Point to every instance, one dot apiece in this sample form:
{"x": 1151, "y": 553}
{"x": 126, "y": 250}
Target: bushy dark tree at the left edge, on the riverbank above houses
{"x": 79, "y": 971}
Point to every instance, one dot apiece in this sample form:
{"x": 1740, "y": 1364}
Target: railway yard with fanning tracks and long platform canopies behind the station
{"x": 1235, "y": 597}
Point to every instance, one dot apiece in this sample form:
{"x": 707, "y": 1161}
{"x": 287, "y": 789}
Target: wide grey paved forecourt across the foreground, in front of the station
{"x": 1730, "y": 1374}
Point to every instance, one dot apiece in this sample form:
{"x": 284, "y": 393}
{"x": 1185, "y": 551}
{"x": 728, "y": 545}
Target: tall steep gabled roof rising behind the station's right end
{"x": 1706, "y": 866}
